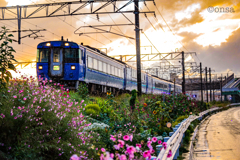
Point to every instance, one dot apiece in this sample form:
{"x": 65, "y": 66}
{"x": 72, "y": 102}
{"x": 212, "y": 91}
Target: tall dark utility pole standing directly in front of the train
{"x": 137, "y": 30}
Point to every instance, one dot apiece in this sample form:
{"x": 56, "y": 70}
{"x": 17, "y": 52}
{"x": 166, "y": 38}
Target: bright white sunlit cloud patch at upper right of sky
{"x": 214, "y": 30}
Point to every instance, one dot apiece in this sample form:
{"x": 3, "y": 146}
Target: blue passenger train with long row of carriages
{"x": 70, "y": 64}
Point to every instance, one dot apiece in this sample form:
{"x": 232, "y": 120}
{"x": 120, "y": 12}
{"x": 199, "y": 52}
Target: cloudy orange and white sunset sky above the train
{"x": 194, "y": 27}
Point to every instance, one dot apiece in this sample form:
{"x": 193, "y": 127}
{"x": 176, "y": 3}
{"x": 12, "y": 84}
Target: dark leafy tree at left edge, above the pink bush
{"x": 6, "y": 57}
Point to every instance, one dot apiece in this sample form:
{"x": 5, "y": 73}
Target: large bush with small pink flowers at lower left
{"x": 39, "y": 122}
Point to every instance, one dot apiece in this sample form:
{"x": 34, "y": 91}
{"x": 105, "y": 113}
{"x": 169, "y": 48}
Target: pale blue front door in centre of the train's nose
{"x": 56, "y": 62}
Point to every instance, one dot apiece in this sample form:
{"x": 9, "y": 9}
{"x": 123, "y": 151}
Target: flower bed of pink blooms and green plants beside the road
{"x": 47, "y": 122}
